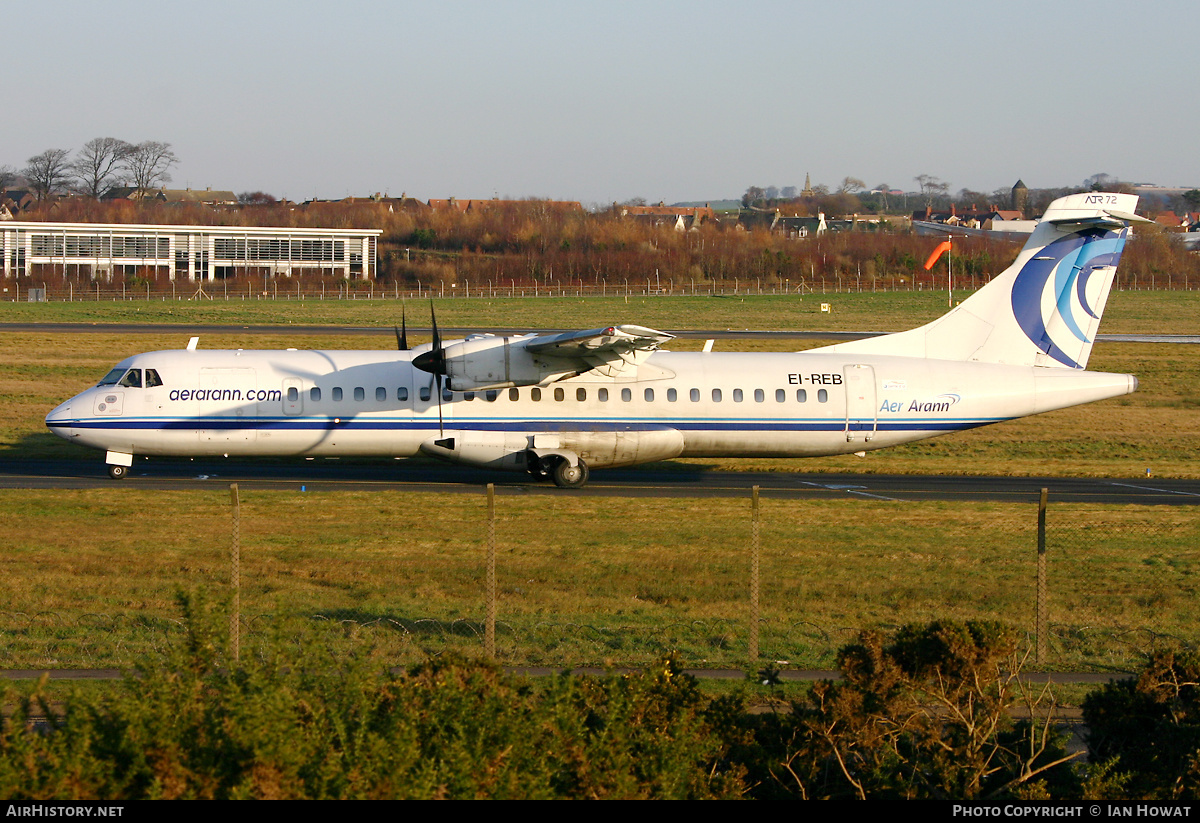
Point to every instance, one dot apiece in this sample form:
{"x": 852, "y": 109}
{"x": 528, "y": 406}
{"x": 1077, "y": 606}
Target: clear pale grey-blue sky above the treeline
{"x": 607, "y": 100}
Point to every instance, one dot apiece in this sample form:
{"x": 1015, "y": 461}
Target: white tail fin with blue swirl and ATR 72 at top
{"x": 1046, "y": 308}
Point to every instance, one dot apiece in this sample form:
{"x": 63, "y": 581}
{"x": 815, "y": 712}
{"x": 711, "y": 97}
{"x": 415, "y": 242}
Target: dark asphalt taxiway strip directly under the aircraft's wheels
{"x": 664, "y": 480}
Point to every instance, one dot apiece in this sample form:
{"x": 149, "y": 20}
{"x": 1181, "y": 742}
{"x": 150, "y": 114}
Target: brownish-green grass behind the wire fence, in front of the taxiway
{"x": 91, "y": 576}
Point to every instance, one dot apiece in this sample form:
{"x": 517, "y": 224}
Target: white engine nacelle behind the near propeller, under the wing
{"x": 499, "y": 363}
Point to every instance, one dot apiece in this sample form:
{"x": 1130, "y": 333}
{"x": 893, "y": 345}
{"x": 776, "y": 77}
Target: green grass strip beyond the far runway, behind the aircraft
{"x": 1129, "y": 313}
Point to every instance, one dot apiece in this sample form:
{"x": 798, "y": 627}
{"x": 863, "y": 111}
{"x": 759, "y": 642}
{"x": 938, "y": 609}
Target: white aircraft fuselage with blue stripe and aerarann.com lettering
{"x": 682, "y": 405}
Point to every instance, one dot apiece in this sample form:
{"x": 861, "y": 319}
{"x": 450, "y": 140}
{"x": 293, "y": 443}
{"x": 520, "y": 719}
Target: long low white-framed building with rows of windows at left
{"x": 185, "y": 253}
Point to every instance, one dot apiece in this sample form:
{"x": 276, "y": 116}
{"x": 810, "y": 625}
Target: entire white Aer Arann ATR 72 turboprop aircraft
{"x": 561, "y": 405}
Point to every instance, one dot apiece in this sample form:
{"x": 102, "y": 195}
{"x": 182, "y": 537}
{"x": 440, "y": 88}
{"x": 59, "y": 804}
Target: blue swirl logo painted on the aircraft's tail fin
{"x": 1065, "y": 266}
